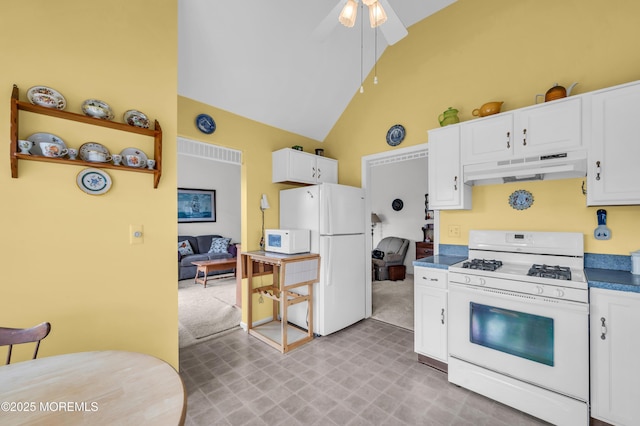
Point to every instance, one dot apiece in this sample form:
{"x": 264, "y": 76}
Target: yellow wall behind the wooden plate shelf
{"x": 66, "y": 256}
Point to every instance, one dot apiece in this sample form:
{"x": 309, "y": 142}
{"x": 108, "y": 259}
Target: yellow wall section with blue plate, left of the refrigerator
{"x": 256, "y": 141}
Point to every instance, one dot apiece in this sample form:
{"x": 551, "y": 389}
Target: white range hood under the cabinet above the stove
{"x": 562, "y": 165}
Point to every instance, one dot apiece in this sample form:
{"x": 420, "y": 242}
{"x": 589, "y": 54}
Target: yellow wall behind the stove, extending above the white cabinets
{"x": 475, "y": 52}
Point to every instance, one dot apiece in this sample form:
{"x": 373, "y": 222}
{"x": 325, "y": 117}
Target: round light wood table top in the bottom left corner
{"x": 103, "y": 387}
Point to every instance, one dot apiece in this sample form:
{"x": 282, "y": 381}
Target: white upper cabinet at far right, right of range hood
{"x": 613, "y": 174}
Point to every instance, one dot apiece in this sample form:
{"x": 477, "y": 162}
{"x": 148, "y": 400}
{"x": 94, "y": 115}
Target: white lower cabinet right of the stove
{"x": 615, "y": 356}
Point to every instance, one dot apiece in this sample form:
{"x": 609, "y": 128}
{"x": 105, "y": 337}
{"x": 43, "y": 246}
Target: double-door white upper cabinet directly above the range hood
{"x": 549, "y": 128}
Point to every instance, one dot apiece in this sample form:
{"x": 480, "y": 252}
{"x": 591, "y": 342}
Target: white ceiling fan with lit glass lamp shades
{"x": 380, "y": 14}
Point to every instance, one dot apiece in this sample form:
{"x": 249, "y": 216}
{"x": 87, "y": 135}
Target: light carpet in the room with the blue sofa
{"x": 205, "y": 312}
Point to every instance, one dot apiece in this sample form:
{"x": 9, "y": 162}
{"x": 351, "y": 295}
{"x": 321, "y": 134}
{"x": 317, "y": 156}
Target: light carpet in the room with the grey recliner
{"x": 393, "y": 302}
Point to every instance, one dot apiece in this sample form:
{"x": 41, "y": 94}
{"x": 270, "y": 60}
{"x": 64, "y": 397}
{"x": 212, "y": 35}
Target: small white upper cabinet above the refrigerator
{"x": 290, "y": 165}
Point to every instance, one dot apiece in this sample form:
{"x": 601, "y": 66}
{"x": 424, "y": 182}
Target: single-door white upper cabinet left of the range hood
{"x": 446, "y": 188}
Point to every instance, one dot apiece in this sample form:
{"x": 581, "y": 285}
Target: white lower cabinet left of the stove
{"x": 430, "y": 317}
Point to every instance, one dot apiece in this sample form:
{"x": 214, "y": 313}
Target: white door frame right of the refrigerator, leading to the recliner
{"x": 368, "y": 161}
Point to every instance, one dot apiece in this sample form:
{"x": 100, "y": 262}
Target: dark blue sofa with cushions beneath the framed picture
{"x": 202, "y": 247}
